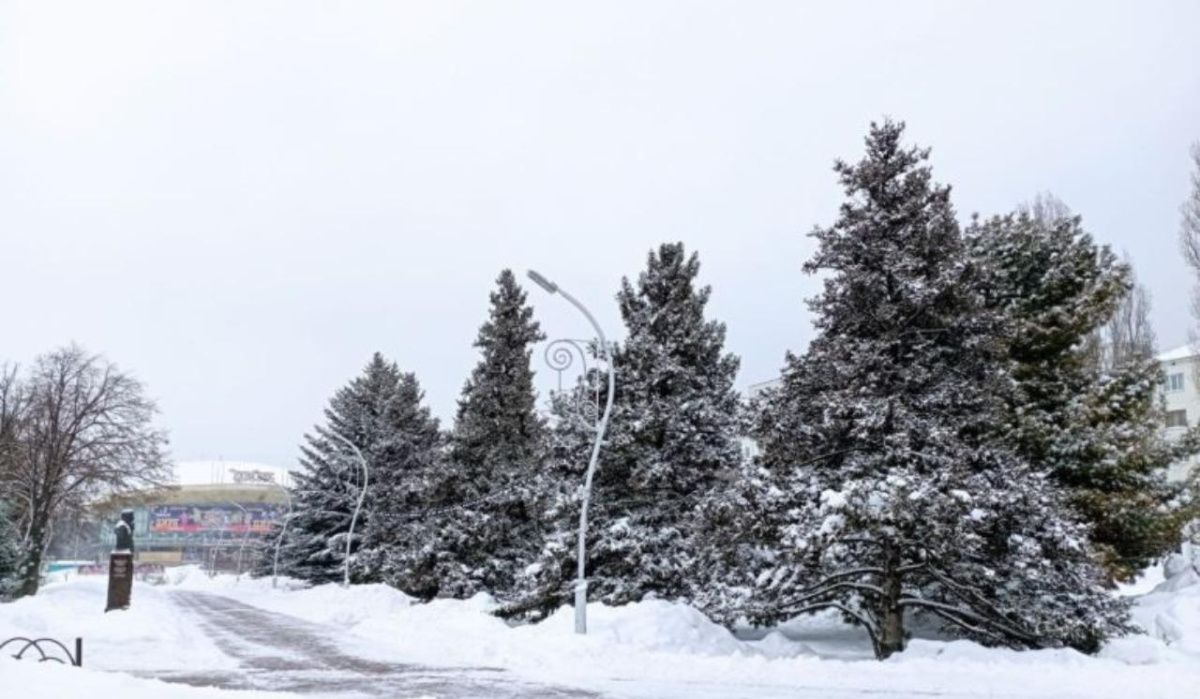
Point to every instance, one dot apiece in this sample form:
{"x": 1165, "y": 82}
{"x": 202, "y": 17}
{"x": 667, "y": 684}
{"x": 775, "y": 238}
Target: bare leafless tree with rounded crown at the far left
{"x": 83, "y": 429}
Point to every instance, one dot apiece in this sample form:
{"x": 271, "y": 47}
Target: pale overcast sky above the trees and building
{"x": 242, "y": 201}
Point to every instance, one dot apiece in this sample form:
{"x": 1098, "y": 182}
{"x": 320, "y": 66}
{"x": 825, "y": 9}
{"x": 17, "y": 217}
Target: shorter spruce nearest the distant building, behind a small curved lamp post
{"x": 380, "y": 413}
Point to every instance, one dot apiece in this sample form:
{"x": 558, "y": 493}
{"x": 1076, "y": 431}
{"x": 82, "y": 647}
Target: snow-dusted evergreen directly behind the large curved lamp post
{"x": 673, "y": 443}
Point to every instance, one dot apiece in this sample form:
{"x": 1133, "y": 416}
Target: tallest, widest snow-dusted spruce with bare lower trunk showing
{"x": 880, "y": 489}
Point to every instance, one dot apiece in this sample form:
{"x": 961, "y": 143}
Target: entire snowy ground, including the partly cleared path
{"x": 371, "y": 642}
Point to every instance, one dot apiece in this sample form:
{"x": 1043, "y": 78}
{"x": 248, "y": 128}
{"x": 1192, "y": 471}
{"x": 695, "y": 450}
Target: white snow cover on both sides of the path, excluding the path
{"x": 653, "y": 649}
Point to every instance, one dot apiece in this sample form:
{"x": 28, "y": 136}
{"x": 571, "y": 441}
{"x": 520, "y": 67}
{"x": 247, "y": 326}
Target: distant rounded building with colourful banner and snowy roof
{"x": 218, "y": 516}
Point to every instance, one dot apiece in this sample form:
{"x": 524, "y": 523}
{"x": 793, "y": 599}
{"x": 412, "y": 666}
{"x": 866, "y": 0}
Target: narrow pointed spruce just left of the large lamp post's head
{"x": 490, "y": 531}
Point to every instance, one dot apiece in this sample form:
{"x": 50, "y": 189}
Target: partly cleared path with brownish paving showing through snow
{"x": 281, "y": 653}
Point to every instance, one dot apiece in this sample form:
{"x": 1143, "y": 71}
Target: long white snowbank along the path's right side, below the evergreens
{"x": 658, "y": 649}
